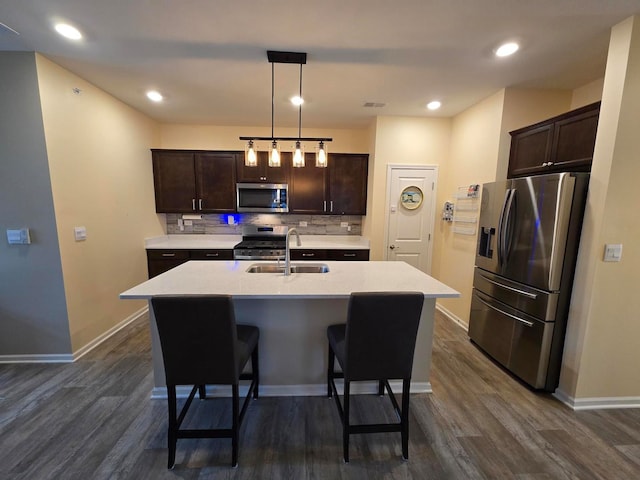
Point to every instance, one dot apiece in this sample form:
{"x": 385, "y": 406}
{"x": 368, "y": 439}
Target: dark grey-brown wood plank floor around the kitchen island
{"x": 94, "y": 420}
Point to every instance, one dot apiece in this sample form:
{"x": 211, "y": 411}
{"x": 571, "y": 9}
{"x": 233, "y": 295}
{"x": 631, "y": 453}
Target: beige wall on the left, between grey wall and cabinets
{"x": 101, "y": 179}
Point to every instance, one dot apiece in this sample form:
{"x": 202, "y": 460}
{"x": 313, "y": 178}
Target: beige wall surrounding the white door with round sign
{"x": 401, "y": 140}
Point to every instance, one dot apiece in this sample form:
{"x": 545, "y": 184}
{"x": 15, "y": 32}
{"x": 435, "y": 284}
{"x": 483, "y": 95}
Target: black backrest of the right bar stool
{"x": 381, "y": 334}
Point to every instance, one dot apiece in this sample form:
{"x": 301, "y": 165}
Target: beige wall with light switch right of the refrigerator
{"x": 601, "y": 353}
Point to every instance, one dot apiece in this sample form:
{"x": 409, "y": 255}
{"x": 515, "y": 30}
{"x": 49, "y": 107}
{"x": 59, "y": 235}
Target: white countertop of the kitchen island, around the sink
{"x": 230, "y": 278}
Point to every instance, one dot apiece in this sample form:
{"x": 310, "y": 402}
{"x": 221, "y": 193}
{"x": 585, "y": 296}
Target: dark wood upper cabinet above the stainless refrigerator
{"x": 562, "y": 143}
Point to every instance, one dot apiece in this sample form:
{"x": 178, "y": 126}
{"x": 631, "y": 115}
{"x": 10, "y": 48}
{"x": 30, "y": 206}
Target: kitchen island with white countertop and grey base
{"x": 293, "y": 312}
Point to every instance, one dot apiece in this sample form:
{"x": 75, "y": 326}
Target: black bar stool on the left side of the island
{"x": 202, "y": 345}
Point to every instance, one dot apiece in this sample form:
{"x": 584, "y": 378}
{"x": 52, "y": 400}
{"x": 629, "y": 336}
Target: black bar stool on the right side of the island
{"x": 377, "y": 343}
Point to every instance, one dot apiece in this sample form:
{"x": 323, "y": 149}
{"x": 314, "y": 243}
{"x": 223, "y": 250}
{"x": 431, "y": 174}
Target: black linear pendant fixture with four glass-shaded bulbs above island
{"x": 251, "y": 159}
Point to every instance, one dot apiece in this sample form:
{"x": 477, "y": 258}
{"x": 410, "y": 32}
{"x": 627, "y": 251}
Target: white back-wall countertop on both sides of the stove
{"x": 191, "y": 241}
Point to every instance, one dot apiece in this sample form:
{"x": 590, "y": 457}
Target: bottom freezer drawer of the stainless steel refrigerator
{"x": 519, "y": 342}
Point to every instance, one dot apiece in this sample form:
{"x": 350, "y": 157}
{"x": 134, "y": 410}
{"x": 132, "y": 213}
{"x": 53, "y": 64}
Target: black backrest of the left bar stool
{"x": 198, "y": 337}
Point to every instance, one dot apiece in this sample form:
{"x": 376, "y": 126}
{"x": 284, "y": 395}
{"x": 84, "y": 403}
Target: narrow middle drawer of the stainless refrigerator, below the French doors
{"x": 532, "y": 301}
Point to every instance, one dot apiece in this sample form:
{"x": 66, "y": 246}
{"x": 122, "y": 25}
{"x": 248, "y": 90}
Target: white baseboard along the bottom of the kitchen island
{"x": 314, "y": 390}
